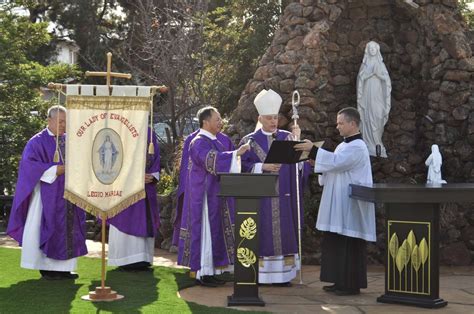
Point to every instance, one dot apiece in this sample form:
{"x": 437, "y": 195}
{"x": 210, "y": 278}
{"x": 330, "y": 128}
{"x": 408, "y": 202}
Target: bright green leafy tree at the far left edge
{"x": 22, "y": 111}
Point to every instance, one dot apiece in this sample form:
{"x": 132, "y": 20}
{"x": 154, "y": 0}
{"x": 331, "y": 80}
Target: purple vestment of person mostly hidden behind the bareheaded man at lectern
{"x": 183, "y": 170}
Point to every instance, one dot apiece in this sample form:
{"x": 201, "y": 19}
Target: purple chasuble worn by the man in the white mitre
{"x": 278, "y": 222}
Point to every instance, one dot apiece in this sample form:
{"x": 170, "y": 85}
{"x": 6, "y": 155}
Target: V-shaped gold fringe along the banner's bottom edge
{"x": 96, "y": 211}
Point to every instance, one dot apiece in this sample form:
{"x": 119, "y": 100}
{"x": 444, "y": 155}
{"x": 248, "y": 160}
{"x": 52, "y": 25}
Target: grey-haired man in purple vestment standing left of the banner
{"x": 50, "y": 229}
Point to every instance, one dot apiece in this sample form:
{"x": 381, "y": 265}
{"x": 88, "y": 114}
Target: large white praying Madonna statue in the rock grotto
{"x": 373, "y": 98}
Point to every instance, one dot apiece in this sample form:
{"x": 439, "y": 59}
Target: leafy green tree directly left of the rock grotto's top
{"x": 236, "y": 35}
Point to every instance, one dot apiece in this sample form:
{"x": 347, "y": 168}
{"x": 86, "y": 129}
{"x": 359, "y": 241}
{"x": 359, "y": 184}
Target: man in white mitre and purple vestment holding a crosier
{"x": 278, "y": 223}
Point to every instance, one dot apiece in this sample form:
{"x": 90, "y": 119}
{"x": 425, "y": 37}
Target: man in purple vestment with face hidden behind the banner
{"x": 132, "y": 232}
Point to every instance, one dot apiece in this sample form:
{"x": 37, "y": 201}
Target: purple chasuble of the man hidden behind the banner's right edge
{"x": 142, "y": 219}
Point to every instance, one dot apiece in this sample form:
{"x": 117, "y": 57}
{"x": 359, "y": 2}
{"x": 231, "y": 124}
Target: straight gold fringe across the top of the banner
{"x": 108, "y": 102}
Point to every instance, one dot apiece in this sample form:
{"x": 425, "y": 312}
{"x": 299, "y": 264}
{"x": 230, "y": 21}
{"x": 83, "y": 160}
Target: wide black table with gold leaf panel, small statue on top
{"x": 412, "y": 221}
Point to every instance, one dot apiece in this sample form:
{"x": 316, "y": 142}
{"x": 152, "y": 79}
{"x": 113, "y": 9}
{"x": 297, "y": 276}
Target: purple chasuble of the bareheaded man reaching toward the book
{"x": 206, "y": 158}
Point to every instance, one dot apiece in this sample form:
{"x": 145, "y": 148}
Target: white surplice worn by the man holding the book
{"x": 338, "y": 213}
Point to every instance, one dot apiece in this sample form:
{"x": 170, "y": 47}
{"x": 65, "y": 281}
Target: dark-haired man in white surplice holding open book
{"x": 346, "y": 223}
